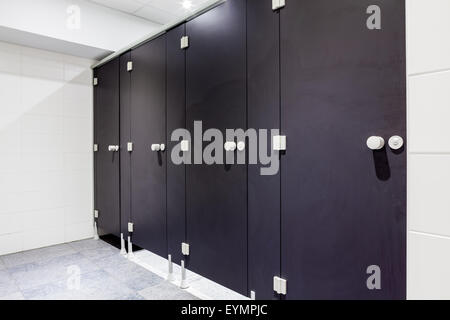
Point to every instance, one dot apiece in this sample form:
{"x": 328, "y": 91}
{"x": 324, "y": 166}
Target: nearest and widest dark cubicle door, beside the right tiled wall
{"x": 343, "y": 205}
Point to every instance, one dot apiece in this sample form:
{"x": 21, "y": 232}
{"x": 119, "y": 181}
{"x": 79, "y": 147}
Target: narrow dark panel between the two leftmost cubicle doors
{"x": 125, "y": 137}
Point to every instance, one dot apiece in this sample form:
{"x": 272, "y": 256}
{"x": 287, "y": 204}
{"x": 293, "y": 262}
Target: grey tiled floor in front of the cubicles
{"x": 51, "y": 273}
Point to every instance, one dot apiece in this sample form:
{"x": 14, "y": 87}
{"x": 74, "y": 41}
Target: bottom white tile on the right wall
{"x": 428, "y": 265}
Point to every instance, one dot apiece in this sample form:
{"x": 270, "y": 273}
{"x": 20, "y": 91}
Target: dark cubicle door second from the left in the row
{"x": 148, "y": 168}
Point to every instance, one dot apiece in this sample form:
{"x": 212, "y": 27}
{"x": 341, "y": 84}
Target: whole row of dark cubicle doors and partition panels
{"x": 316, "y": 71}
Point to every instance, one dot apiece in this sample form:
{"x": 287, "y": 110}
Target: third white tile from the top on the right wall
{"x": 429, "y": 205}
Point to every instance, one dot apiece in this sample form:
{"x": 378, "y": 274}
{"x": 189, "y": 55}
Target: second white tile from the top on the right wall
{"x": 429, "y": 111}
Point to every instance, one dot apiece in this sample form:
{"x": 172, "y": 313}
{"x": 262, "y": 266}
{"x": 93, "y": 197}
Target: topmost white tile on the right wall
{"x": 428, "y": 29}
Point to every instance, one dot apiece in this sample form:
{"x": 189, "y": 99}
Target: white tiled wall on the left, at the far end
{"x": 45, "y": 148}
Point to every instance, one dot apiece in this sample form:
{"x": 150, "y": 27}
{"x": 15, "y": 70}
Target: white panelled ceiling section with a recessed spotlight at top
{"x": 159, "y": 11}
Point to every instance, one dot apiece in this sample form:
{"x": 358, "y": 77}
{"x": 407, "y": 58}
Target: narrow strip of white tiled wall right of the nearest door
{"x": 428, "y": 56}
